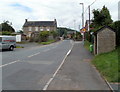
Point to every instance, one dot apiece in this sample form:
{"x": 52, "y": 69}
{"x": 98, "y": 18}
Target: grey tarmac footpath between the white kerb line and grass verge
{"x": 77, "y": 72}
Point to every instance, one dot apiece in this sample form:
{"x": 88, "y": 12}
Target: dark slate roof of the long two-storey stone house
{"x": 39, "y": 23}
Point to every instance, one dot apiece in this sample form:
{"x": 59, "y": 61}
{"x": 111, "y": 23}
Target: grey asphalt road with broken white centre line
{"x": 31, "y": 68}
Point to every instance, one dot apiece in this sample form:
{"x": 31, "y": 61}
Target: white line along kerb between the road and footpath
{"x": 50, "y": 80}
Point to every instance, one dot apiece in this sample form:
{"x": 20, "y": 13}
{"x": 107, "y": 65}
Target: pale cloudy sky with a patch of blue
{"x": 66, "y": 12}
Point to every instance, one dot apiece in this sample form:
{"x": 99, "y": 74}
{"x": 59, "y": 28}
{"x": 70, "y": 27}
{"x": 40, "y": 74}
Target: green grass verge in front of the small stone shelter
{"x": 107, "y": 64}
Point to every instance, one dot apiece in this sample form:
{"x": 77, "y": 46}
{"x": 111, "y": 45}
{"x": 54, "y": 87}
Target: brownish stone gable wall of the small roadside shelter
{"x": 106, "y": 41}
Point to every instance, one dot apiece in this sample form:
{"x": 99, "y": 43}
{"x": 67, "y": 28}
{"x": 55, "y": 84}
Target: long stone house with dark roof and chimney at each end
{"x": 31, "y": 27}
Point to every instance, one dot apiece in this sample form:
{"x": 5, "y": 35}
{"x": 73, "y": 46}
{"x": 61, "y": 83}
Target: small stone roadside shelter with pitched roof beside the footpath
{"x": 104, "y": 40}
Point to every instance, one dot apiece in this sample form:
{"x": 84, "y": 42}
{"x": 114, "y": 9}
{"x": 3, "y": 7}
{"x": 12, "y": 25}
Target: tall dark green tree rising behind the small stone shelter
{"x": 101, "y": 17}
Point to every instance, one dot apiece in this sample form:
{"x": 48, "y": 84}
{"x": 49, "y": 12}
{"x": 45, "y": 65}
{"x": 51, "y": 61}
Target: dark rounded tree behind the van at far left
{"x": 6, "y": 26}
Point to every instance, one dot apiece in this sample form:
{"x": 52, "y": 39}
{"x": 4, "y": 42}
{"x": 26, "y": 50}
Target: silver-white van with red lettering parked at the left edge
{"x": 7, "y": 42}
